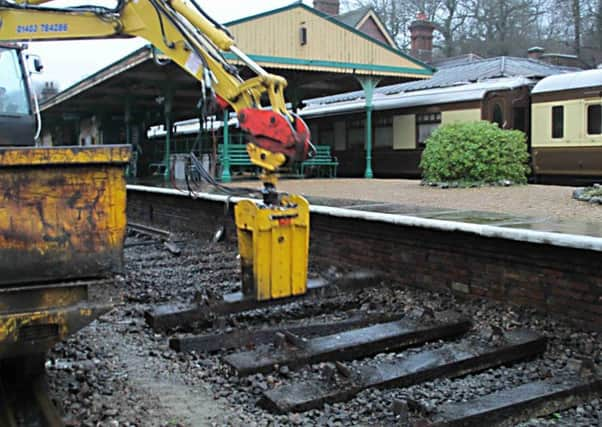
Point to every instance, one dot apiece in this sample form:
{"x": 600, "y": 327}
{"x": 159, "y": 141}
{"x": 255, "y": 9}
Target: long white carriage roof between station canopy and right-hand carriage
{"x": 382, "y": 101}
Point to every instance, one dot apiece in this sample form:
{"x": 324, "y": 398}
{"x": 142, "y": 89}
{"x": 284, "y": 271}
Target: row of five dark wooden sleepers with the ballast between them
{"x": 298, "y": 359}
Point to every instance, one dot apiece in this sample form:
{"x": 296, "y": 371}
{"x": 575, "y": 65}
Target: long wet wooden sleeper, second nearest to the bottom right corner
{"x": 451, "y": 360}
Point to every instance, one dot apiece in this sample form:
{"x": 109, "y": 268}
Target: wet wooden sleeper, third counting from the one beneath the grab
{"x": 348, "y": 345}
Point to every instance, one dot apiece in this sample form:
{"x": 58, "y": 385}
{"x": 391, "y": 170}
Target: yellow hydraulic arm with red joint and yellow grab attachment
{"x": 273, "y": 236}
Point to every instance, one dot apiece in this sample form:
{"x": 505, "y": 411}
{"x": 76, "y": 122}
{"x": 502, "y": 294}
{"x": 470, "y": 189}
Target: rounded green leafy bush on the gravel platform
{"x": 475, "y": 152}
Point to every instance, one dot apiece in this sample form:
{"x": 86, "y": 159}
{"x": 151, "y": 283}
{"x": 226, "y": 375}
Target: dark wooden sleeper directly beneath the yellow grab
{"x": 169, "y": 316}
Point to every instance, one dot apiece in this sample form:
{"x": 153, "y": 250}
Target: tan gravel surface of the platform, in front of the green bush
{"x": 553, "y": 202}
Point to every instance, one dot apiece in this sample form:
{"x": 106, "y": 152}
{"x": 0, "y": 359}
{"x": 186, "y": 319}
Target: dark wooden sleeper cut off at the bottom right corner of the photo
{"x": 509, "y": 407}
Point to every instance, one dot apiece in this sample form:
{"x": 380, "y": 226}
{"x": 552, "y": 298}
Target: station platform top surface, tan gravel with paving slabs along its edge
{"x": 533, "y": 207}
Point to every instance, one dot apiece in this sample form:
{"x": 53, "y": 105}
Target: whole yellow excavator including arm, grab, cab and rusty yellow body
{"x": 45, "y": 259}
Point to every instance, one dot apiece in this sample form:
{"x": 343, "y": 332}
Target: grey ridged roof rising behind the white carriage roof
{"x": 472, "y": 72}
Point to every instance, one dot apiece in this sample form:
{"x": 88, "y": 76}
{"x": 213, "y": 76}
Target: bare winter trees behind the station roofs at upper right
{"x": 499, "y": 27}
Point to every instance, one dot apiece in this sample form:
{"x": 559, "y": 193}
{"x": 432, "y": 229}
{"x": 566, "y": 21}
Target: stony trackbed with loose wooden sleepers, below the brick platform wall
{"x": 361, "y": 350}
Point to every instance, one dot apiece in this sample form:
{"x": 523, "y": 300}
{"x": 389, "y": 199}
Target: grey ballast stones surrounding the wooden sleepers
{"x": 118, "y": 372}
